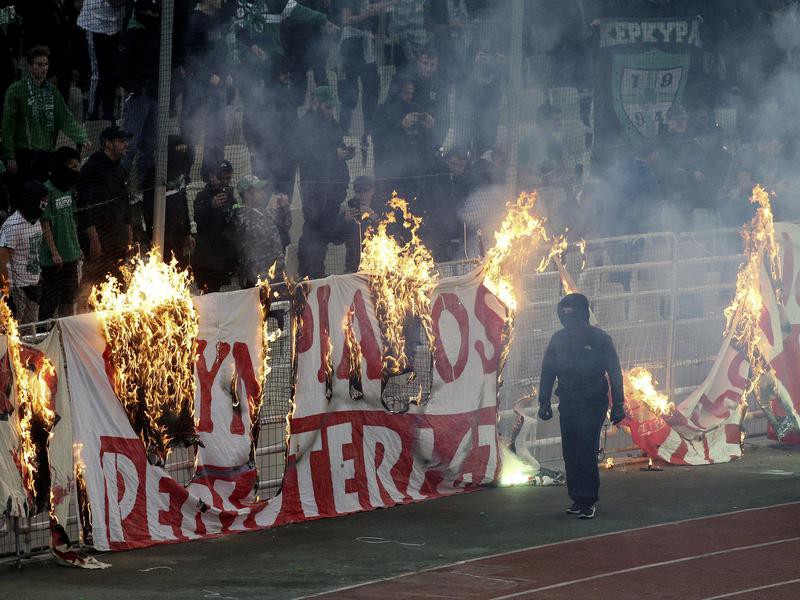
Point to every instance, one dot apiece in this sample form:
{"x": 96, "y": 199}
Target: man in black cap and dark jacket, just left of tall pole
{"x": 103, "y": 210}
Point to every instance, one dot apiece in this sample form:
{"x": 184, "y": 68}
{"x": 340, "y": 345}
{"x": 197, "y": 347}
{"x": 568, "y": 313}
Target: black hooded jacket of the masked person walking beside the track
{"x": 580, "y": 356}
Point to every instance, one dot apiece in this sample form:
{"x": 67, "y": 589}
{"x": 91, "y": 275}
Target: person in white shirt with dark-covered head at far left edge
{"x": 20, "y": 241}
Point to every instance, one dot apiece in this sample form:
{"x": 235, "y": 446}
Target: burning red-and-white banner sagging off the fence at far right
{"x": 759, "y": 358}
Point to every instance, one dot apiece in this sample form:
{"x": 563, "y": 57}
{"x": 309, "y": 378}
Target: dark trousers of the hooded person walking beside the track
{"x": 580, "y": 437}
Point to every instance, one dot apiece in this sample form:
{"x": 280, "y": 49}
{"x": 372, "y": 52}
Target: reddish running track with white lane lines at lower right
{"x": 741, "y": 555}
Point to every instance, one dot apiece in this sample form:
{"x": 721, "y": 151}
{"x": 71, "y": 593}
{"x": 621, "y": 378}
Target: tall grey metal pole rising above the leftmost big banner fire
{"x": 162, "y": 135}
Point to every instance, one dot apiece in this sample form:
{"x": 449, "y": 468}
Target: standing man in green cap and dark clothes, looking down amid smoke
{"x": 324, "y": 177}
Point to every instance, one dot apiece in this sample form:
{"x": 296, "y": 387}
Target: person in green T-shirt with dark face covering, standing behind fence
{"x": 60, "y": 250}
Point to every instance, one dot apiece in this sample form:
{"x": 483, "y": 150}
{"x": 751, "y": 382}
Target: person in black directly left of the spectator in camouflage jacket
{"x": 216, "y": 255}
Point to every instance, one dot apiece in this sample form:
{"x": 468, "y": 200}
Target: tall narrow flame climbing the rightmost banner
{"x": 744, "y": 312}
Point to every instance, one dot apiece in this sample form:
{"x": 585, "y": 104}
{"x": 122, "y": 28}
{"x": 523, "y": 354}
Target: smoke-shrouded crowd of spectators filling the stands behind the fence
{"x": 346, "y": 101}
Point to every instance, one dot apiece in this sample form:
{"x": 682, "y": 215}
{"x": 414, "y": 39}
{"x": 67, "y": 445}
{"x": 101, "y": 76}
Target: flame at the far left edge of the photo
{"x": 34, "y": 402}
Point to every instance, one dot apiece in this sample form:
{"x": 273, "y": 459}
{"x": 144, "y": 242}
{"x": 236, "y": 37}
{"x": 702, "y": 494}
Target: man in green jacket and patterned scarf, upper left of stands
{"x": 34, "y": 112}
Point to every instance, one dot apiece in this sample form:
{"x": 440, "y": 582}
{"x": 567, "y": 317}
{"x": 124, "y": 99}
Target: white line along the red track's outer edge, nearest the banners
{"x": 549, "y": 545}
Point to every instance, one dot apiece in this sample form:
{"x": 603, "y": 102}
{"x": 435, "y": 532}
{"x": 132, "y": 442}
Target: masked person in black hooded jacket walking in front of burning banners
{"x": 584, "y": 361}
